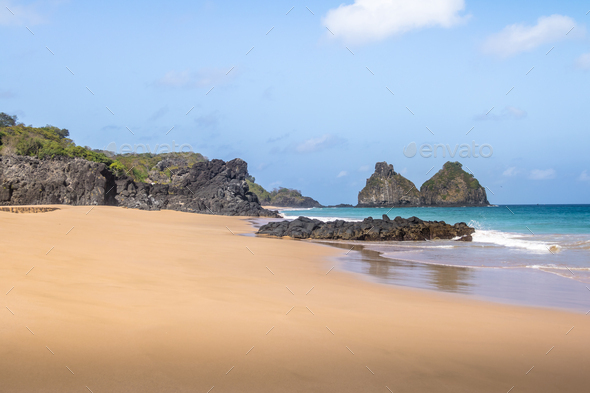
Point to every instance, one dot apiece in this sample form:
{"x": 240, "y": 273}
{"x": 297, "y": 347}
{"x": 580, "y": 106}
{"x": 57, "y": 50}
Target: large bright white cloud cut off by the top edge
{"x": 373, "y": 20}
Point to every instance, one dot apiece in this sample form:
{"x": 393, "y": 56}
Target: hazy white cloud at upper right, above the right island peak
{"x": 517, "y": 38}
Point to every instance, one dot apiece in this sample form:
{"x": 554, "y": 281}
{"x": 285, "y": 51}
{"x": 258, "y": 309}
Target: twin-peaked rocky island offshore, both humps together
{"x": 451, "y": 186}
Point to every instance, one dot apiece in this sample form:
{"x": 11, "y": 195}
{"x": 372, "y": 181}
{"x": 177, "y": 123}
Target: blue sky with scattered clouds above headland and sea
{"x": 308, "y": 108}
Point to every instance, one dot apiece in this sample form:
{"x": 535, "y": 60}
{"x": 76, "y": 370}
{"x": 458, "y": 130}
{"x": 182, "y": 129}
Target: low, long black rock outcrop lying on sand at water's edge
{"x": 399, "y": 229}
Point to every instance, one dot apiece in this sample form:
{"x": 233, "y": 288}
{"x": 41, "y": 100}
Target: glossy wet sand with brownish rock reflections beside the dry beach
{"x": 515, "y": 285}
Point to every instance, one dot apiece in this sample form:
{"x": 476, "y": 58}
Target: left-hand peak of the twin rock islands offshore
{"x": 387, "y": 188}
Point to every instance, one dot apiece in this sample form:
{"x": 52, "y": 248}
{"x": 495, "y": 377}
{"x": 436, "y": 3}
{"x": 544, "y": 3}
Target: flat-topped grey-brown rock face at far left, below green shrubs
{"x": 68, "y": 181}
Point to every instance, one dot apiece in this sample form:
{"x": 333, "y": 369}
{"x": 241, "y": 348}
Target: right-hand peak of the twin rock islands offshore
{"x": 452, "y": 186}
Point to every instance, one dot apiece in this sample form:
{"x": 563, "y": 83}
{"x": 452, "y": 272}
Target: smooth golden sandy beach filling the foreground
{"x": 136, "y": 301}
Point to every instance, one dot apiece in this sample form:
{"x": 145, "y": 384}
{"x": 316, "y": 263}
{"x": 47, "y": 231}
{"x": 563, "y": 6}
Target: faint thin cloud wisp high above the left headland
{"x": 203, "y": 78}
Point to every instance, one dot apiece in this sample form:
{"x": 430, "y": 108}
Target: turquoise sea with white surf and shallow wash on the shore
{"x": 533, "y": 254}
